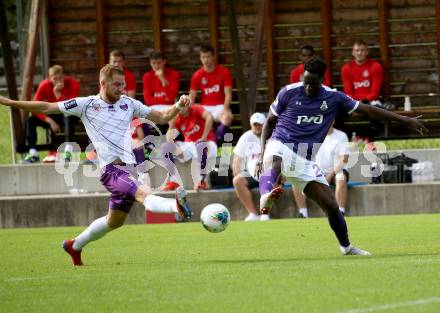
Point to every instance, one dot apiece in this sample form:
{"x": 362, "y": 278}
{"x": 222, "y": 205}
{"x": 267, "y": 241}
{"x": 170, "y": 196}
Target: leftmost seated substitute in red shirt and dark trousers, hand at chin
{"x": 57, "y": 87}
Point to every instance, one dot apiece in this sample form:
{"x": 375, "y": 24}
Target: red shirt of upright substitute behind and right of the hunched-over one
{"x": 212, "y": 84}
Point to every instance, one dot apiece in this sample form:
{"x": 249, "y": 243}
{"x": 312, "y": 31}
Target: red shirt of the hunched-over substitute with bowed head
{"x": 192, "y": 126}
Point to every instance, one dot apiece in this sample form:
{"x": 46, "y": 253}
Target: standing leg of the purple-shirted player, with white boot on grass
{"x": 323, "y": 195}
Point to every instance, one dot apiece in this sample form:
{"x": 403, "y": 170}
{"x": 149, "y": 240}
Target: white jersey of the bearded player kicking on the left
{"x": 107, "y": 125}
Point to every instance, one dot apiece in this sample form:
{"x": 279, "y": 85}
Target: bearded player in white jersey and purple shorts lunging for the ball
{"x": 107, "y": 117}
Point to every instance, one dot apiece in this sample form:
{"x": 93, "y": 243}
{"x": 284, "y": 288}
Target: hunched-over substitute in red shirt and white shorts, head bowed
{"x": 195, "y": 124}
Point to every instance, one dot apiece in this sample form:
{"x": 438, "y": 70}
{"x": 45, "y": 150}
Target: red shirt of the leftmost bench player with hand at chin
{"x": 45, "y": 92}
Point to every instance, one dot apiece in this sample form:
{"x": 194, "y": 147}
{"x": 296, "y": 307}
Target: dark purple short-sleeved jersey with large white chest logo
{"x": 304, "y": 121}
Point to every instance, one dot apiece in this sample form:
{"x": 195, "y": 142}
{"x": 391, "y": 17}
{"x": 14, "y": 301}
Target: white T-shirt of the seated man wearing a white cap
{"x": 249, "y": 148}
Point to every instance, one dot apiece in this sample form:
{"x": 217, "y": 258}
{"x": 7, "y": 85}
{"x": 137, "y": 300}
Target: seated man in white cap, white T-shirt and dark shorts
{"x": 246, "y": 155}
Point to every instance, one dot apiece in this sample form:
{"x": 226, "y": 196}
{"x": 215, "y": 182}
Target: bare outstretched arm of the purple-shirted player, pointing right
{"x": 375, "y": 113}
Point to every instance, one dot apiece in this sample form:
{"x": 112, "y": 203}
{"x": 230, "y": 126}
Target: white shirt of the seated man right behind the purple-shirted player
{"x": 331, "y": 150}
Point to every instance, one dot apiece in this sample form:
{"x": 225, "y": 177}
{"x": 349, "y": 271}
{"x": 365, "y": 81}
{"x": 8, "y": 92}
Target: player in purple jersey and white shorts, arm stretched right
{"x": 298, "y": 119}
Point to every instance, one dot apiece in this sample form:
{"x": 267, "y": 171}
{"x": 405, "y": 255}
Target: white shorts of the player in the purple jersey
{"x": 298, "y": 170}
